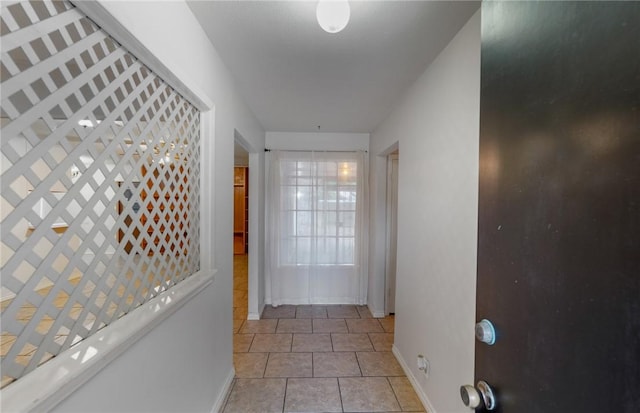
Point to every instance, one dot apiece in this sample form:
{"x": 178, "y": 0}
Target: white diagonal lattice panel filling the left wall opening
{"x": 100, "y": 182}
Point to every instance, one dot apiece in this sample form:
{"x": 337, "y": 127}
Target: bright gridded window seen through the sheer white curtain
{"x": 318, "y": 211}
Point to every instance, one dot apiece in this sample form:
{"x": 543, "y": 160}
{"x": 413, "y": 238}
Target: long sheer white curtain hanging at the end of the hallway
{"x": 315, "y": 226}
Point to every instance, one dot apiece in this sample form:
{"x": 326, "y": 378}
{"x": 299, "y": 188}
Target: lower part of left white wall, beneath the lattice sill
{"x": 174, "y": 368}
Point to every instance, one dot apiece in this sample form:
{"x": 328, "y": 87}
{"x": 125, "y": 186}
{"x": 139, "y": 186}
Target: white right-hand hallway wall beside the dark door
{"x": 436, "y": 127}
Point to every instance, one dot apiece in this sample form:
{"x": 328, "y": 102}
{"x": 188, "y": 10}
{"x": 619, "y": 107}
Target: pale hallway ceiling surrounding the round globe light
{"x": 295, "y": 77}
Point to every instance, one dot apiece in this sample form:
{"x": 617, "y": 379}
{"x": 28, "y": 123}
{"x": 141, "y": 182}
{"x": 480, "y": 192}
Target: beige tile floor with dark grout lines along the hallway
{"x": 314, "y": 359}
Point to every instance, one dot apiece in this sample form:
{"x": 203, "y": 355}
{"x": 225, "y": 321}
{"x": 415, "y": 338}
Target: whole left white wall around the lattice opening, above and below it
{"x": 186, "y": 362}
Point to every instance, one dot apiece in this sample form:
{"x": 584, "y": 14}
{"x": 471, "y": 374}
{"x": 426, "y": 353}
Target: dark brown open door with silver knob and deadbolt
{"x": 559, "y": 213}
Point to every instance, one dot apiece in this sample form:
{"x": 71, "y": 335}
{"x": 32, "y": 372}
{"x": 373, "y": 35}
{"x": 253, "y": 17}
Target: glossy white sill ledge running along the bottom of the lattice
{"x": 51, "y": 383}
